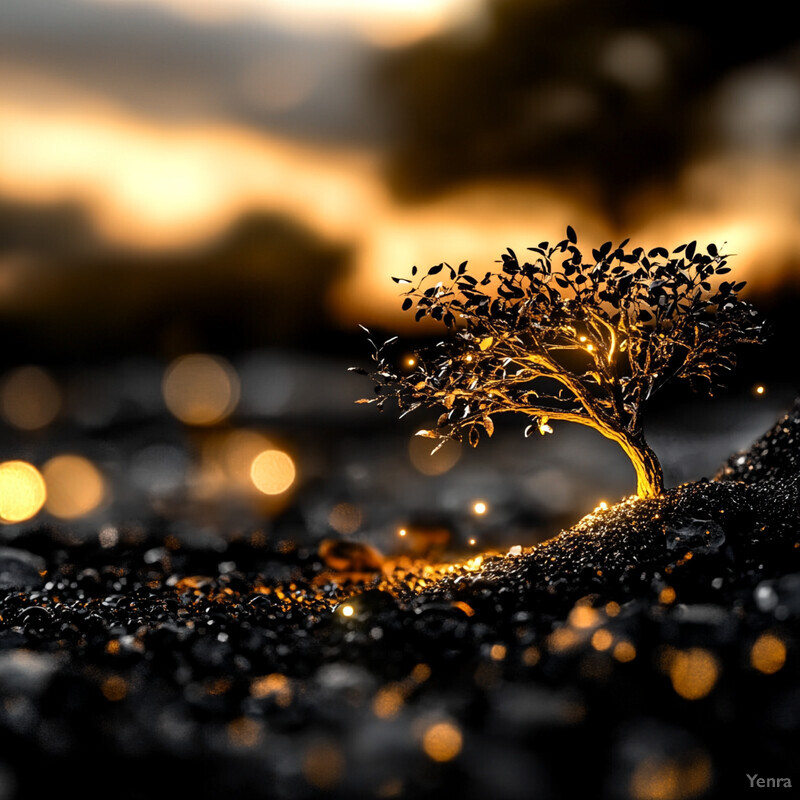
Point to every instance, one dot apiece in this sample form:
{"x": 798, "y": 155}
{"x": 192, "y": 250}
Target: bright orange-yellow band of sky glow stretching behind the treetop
{"x": 152, "y": 184}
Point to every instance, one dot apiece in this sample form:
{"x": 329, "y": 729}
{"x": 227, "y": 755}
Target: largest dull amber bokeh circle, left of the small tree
{"x": 201, "y": 389}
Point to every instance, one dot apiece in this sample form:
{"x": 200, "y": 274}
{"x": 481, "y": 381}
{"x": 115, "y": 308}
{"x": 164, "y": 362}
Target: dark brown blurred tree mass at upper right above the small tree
{"x": 602, "y": 98}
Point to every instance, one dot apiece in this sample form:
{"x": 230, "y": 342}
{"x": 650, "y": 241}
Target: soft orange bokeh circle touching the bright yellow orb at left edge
{"x": 75, "y": 487}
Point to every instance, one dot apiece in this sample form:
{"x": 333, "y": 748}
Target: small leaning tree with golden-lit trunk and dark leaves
{"x": 566, "y": 338}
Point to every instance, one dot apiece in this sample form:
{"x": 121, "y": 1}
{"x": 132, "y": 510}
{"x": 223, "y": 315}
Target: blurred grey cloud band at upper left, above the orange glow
{"x": 167, "y": 66}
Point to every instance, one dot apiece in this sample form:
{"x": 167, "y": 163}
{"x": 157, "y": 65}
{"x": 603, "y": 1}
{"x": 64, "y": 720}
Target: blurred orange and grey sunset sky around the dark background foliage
{"x": 165, "y": 120}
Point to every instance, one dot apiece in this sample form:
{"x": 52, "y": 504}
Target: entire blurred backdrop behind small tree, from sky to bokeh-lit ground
{"x": 202, "y": 199}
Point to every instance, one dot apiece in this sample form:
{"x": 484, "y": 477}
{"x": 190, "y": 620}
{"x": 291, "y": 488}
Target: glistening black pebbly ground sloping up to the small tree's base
{"x": 651, "y": 652}
